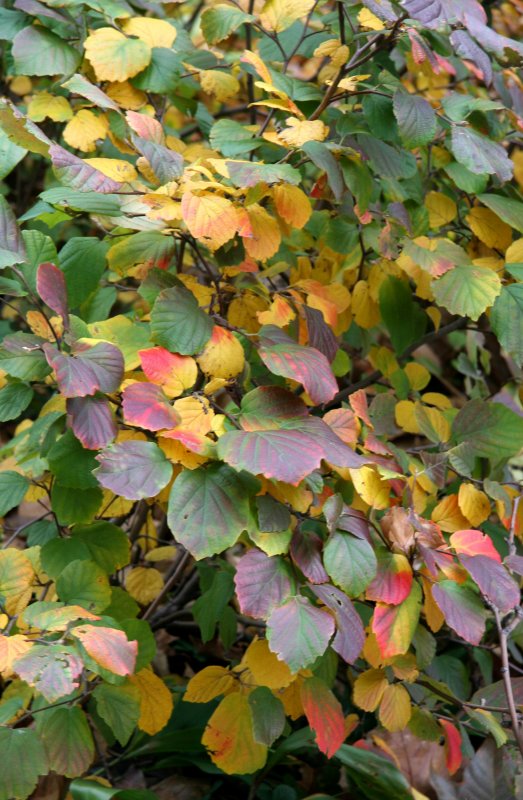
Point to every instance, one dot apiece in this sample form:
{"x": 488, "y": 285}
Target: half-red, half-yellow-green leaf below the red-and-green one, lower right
{"x": 394, "y": 626}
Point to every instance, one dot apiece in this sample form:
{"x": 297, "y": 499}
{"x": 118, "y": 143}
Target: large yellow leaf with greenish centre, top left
{"x": 115, "y": 57}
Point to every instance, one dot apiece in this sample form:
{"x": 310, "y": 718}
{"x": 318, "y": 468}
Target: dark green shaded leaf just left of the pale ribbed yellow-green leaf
{"x": 403, "y": 317}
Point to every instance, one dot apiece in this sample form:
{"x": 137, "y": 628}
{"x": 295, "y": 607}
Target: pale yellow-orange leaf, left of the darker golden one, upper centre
{"x": 210, "y": 218}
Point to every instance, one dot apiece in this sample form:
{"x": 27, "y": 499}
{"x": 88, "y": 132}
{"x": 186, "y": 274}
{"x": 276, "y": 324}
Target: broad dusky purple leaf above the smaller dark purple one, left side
{"x": 87, "y": 369}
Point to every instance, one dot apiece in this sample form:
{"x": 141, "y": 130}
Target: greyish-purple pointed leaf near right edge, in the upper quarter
{"x": 479, "y": 154}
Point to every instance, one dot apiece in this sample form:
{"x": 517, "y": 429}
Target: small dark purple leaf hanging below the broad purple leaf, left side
{"x": 92, "y": 421}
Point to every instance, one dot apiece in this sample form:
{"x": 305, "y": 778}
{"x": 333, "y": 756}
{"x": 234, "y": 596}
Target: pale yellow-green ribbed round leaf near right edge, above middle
{"x": 467, "y": 290}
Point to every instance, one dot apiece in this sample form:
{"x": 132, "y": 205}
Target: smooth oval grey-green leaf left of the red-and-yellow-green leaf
{"x": 350, "y": 562}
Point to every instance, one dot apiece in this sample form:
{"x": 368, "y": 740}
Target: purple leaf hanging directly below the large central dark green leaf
{"x": 262, "y": 583}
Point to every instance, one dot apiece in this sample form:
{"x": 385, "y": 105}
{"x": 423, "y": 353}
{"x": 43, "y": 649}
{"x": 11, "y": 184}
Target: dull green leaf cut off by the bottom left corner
{"x": 24, "y": 760}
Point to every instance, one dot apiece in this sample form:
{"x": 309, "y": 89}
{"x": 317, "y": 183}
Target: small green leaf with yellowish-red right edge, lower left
{"x": 84, "y": 584}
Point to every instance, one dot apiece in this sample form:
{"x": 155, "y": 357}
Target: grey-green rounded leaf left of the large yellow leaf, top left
{"x": 37, "y": 51}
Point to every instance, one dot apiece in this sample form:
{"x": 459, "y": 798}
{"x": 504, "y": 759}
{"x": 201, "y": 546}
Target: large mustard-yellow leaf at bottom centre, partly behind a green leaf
{"x": 229, "y": 738}
